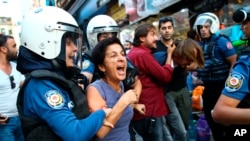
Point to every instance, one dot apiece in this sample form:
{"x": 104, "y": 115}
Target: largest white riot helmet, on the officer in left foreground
{"x": 44, "y": 28}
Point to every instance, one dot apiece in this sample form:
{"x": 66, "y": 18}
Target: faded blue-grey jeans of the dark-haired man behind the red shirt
{"x": 174, "y": 121}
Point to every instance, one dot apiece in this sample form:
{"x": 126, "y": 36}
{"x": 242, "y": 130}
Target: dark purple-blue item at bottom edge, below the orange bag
{"x": 203, "y": 129}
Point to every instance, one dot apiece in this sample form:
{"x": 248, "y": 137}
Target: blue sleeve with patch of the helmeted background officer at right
{"x": 225, "y": 47}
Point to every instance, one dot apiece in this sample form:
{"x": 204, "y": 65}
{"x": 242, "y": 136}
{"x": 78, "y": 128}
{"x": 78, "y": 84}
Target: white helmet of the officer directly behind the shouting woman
{"x": 100, "y": 24}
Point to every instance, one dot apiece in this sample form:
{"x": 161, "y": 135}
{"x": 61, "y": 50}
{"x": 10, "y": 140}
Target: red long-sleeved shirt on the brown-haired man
{"x": 153, "y": 77}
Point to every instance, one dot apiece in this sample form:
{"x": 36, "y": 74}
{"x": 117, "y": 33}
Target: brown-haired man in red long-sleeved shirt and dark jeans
{"x": 150, "y": 126}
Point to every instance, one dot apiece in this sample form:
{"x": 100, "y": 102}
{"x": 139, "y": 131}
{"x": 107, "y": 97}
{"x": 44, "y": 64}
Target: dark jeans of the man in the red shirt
{"x": 160, "y": 132}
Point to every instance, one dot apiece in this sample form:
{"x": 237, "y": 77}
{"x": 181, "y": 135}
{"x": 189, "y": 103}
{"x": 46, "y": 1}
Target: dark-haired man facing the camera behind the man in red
{"x": 173, "y": 119}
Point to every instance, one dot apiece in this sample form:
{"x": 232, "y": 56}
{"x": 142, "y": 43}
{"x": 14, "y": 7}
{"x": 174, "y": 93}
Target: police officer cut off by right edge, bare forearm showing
{"x": 237, "y": 86}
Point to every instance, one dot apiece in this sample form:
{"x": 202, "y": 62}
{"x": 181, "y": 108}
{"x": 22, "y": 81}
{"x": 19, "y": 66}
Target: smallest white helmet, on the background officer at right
{"x": 207, "y": 18}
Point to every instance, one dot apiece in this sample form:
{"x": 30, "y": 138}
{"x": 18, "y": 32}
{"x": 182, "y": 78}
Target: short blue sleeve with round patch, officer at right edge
{"x": 237, "y": 84}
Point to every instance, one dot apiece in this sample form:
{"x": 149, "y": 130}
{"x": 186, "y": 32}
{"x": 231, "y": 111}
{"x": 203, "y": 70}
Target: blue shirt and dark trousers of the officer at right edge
{"x": 237, "y": 87}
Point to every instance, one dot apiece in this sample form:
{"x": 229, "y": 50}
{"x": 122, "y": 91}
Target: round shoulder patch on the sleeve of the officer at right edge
{"x": 234, "y": 82}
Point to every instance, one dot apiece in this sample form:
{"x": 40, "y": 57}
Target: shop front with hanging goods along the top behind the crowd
{"x": 131, "y": 13}
